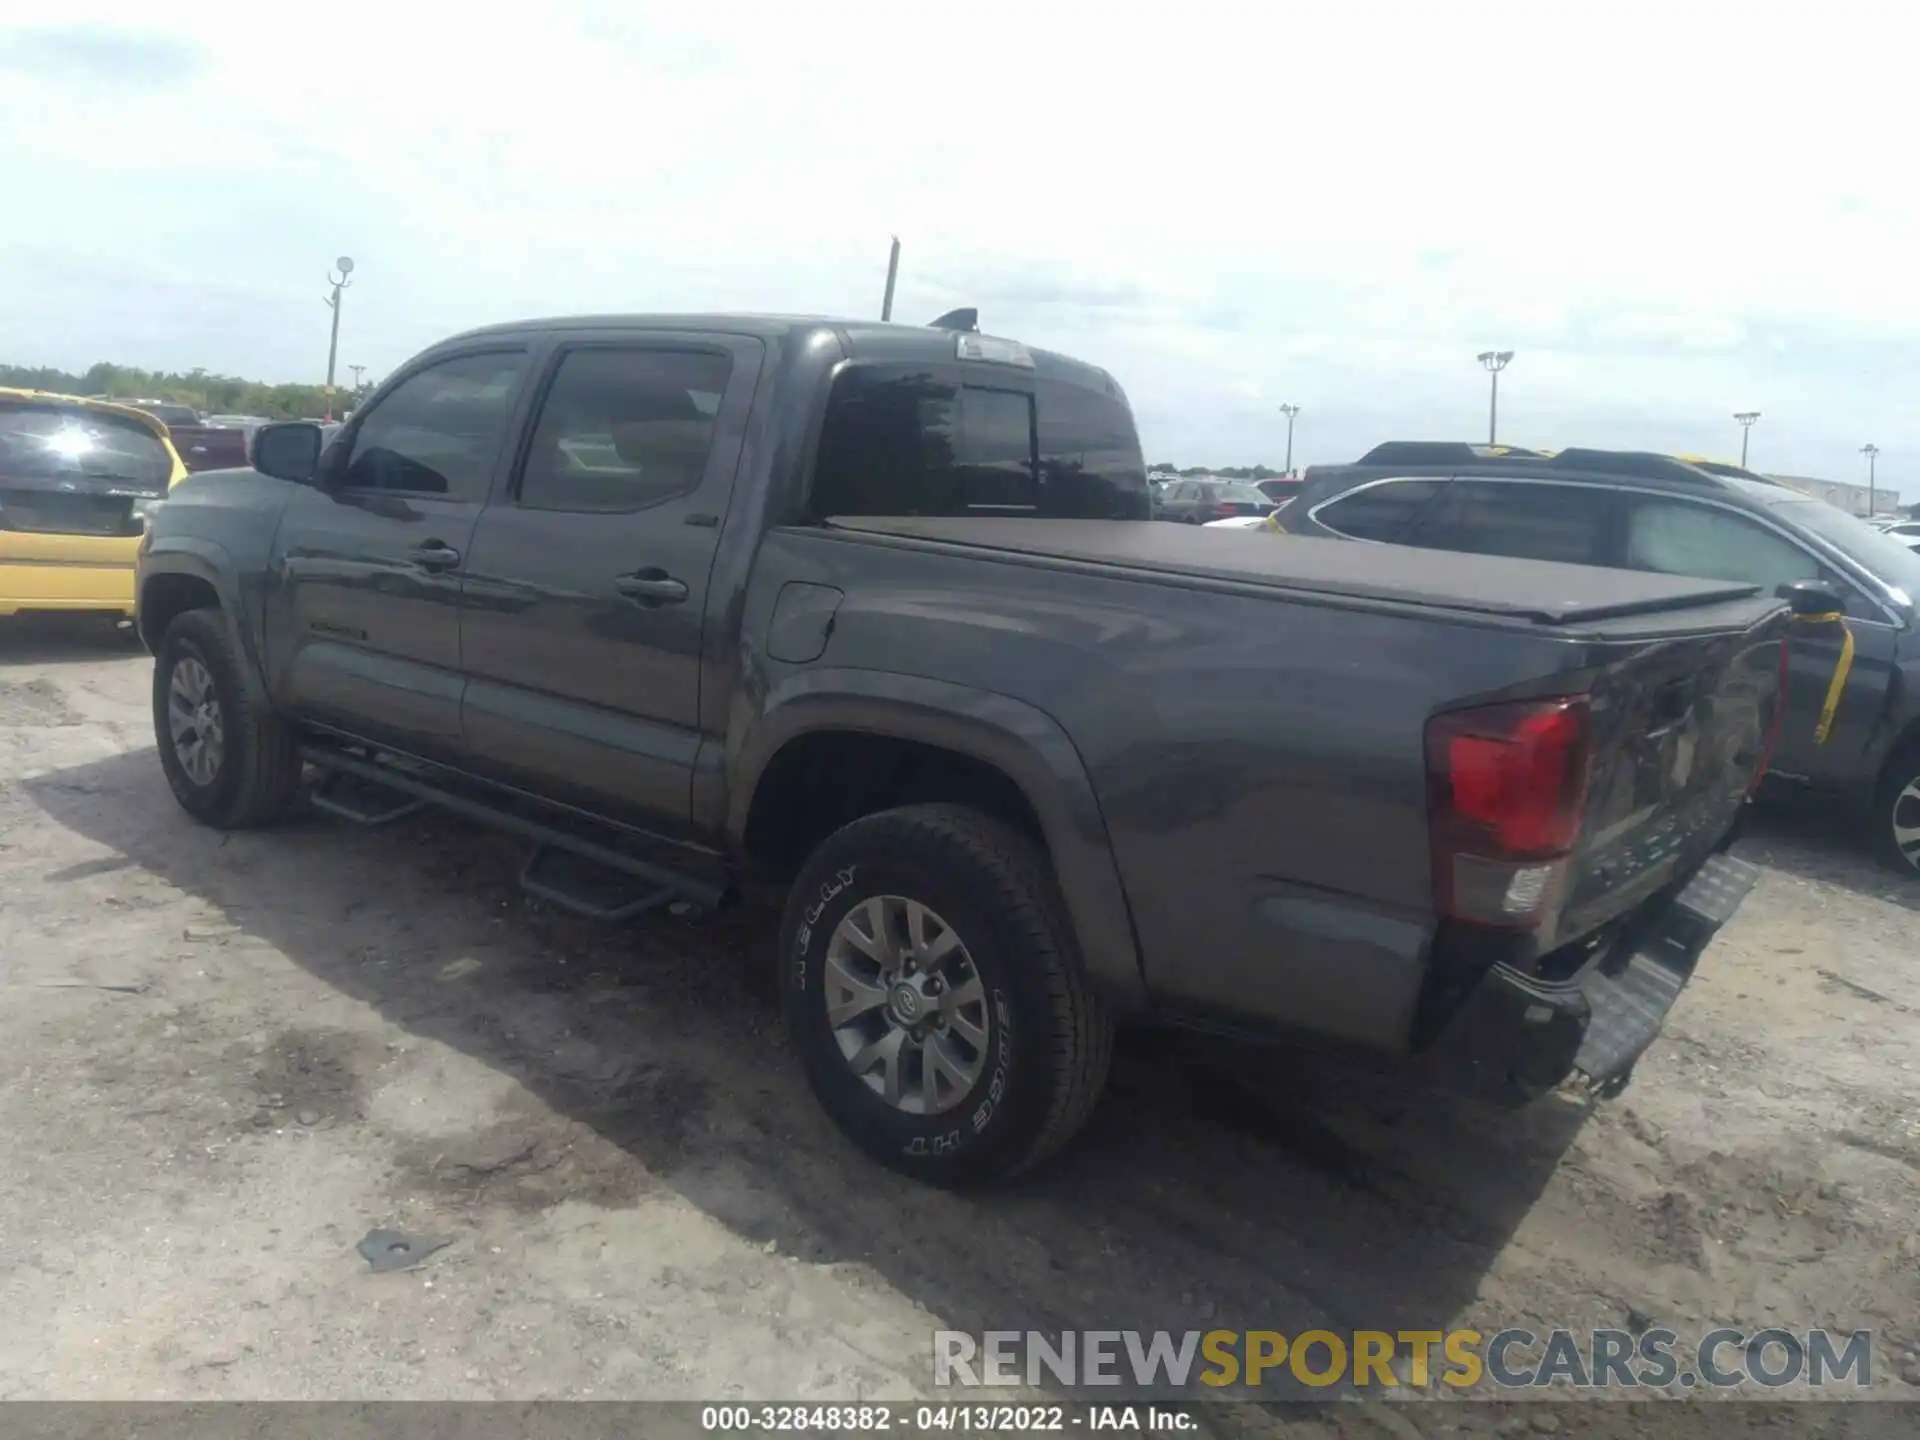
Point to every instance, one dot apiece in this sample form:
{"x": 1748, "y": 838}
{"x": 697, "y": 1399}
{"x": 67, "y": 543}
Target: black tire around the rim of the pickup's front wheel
{"x": 258, "y": 777}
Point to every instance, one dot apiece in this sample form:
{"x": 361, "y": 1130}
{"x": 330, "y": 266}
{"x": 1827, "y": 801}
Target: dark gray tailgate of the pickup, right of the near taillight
{"x": 1681, "y": 732}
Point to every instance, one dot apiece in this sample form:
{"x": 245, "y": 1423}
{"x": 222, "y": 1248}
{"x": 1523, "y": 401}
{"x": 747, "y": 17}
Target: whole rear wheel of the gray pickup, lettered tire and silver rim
{"x": 936, "y": 996}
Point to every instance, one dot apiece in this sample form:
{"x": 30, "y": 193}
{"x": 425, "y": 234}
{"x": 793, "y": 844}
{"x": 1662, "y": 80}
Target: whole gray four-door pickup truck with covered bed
{"x": 878, "y": 612}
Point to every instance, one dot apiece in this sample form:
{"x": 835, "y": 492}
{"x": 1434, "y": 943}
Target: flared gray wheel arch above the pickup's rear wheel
{"x": 940, "y": 744}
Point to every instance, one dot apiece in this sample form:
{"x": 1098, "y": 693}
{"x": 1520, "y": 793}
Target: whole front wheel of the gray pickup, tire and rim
{"x": 231, "y": 761}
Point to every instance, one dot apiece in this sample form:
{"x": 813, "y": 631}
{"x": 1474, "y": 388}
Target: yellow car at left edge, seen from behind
{"x": 78, "y": 481}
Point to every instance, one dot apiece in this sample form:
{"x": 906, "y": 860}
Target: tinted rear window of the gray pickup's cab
{"x": 911, "y": 443}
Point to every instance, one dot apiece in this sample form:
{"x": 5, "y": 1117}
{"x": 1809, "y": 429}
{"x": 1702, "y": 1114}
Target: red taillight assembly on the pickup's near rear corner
{"x": 1508, "y": 790}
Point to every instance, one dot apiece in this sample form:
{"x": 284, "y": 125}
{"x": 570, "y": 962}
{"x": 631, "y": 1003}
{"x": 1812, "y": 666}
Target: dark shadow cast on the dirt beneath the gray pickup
{"x": 1212, "y": 1189}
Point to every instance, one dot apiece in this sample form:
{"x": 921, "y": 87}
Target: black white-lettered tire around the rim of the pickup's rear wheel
{"x": 1051, "y": 1038}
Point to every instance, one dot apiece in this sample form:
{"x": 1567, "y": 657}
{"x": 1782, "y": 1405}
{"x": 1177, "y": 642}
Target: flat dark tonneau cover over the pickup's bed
{"x": 1524, "y": 590}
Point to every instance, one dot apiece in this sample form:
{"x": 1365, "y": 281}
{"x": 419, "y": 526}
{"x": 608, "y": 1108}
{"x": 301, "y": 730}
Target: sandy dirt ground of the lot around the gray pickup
{"x": 231, "y": 1057}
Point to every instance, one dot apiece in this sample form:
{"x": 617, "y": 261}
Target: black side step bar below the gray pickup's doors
{"x": 567, "y": 871}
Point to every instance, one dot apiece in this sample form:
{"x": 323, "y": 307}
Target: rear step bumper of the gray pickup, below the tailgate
{"x": 1518, "y": 1038}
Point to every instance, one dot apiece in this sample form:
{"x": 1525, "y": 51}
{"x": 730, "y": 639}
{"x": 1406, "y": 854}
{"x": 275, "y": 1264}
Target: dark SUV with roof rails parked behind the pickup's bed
{"x": 1641, "y": 512}
